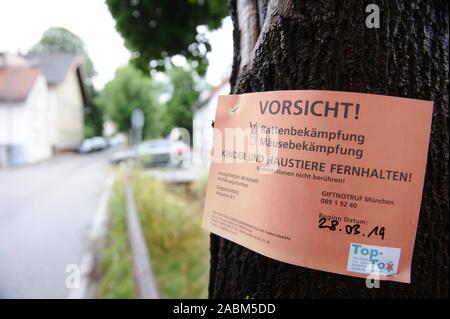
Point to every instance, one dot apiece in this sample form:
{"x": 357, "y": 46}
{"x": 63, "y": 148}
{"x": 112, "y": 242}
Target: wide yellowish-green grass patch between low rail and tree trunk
{"x": 178, "y": 246}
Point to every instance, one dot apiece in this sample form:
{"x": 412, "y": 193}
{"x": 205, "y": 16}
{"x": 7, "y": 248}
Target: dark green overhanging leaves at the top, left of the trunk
{"x": 157, "y": 29}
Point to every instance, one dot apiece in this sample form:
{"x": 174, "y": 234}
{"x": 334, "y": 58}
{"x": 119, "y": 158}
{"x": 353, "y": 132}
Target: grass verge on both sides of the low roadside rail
{"x": 171, "y": 221}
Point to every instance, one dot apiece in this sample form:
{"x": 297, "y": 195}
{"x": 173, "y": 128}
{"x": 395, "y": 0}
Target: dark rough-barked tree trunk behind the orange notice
{"x": 311, "y": 44}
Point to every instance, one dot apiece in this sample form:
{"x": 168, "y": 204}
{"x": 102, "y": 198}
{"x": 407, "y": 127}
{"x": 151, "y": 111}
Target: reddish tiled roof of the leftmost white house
{"x": 16, "y": 83}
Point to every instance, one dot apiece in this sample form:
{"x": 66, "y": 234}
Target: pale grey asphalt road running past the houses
{"x": 45, "y": 213}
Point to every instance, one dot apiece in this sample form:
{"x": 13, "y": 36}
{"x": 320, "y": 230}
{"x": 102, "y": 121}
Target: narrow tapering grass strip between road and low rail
{"x": 115, "y": 261}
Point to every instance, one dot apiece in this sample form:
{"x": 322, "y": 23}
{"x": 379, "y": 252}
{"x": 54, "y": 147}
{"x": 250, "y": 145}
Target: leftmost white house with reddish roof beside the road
{"x": 24, "y": 116}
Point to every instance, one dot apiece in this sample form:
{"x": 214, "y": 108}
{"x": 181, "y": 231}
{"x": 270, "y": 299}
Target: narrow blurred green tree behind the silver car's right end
{"x": 178, "y": 110}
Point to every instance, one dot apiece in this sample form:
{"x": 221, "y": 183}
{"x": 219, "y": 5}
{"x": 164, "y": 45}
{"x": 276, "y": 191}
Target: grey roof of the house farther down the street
{"x": 55, "y": 66}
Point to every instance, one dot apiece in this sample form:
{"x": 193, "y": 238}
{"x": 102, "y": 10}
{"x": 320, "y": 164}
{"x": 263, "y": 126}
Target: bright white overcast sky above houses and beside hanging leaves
{"x": 22, "y": 23}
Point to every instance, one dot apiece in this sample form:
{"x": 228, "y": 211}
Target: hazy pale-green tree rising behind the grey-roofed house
{"x": 60, "y": 40}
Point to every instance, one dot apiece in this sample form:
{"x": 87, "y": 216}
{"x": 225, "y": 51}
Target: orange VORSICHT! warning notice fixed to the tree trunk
{"x": 320, "y": 179}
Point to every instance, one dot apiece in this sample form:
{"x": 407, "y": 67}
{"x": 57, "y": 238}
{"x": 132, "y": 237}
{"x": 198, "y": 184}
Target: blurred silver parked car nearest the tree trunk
{"x": 155, "y": 152}
